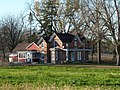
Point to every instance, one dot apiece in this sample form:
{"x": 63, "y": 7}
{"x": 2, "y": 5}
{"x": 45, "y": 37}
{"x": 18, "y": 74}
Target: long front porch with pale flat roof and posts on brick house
{"x": 59, "y": 55}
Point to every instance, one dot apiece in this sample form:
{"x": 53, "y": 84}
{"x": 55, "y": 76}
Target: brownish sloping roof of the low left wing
{"x": 20, "y": 47}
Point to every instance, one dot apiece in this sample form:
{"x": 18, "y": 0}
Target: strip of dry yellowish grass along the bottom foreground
{"x": 53, "y": 87}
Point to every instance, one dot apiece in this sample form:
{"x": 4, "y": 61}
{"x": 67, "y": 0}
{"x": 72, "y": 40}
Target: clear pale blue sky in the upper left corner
{"x": 13, "y": 7}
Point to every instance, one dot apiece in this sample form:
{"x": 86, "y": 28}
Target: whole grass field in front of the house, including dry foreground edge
{"x": 65, "y": 77}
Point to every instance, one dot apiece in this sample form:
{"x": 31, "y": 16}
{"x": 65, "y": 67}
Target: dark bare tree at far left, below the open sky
{"x": 12, "y": 28}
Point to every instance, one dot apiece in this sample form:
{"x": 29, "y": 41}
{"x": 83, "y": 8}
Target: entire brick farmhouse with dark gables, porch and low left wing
{"x": 56, "y": 49}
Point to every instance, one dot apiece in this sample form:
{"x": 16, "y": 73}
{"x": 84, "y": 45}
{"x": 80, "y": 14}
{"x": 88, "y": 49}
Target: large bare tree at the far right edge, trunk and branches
{"x": 111, "y": 16}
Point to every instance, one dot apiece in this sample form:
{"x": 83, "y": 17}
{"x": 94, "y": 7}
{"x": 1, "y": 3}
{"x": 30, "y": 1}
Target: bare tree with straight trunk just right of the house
{"x": 92, "y": 22}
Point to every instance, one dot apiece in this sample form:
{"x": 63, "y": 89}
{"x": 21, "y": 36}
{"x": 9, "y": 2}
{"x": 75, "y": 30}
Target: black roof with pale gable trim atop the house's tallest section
{"x": 64, "y": 37}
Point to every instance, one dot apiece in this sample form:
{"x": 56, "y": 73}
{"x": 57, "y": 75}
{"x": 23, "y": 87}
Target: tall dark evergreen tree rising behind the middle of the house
{"x": 46, "y": 15}
